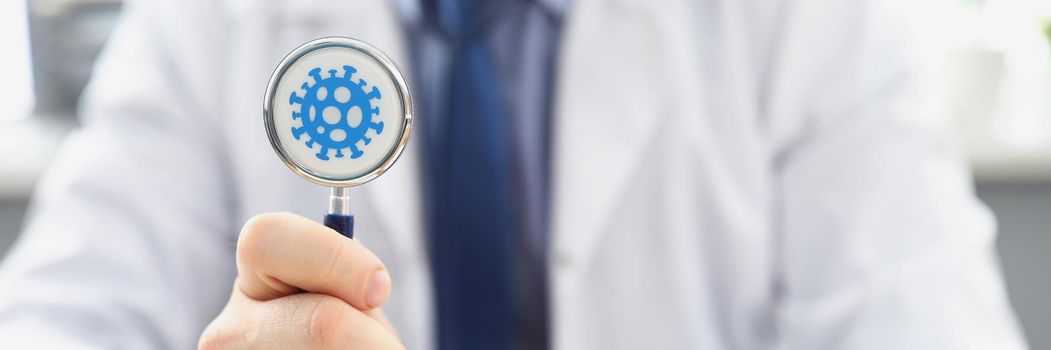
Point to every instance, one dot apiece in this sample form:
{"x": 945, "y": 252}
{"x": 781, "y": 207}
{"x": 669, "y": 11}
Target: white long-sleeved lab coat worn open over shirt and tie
{"x": 728, "y": 175}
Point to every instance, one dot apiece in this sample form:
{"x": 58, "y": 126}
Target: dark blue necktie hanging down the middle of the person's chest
{"x": 471, "y": 201}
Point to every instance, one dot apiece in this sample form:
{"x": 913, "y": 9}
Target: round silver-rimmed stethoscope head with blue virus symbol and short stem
{"x": 338, "y": 112}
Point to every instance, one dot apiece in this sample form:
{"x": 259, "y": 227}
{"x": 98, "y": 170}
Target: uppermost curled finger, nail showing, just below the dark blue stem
{"x": 282, "y": 254}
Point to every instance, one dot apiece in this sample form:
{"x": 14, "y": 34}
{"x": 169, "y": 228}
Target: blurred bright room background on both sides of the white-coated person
{"x": 996, "y": 57}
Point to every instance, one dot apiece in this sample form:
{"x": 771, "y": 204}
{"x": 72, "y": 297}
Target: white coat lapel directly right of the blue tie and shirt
{"x": 607, "y": 111}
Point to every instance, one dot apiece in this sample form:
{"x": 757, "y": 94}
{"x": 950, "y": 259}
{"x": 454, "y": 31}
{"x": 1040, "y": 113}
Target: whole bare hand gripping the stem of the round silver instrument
{"x": 302, "y": 286}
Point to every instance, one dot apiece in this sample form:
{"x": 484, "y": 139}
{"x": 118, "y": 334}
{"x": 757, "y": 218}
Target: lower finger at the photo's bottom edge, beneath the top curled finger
{"x": 304, "y": 321}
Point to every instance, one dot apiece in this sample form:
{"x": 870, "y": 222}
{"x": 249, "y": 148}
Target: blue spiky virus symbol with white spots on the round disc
{"x": 336, "y": 113}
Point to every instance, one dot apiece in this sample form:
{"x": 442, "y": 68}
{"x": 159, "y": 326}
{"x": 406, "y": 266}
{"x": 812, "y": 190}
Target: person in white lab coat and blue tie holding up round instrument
{"x": 724, "y": 175}
